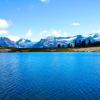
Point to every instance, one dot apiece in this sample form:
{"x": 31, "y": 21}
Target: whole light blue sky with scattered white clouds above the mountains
{"x": 36, "y": 19}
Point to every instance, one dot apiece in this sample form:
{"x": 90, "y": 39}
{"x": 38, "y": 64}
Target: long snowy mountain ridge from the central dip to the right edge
{"x": 54, "y": 42}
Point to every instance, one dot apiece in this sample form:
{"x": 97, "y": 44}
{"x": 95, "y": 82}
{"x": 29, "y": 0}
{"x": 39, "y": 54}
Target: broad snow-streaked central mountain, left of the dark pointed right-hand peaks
{"x": 53, "y": 42}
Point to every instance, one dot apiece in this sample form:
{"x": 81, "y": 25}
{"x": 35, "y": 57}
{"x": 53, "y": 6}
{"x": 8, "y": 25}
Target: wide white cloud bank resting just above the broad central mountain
{"x": 54, "y": 33}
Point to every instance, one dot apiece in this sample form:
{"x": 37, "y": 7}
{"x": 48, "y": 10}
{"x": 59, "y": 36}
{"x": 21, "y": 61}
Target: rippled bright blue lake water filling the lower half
{"x": 49, "y": 76}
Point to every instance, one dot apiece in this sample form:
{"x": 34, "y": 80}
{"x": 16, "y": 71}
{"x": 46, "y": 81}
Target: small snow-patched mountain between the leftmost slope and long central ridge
{"x": 24, "y": 43}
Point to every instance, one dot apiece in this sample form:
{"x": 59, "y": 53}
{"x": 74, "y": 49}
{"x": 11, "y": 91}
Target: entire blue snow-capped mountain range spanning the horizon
{"x": 52, "y": 42}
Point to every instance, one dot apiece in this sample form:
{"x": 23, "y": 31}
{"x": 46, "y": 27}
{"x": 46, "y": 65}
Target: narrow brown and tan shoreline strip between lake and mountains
{"x": 86, "y": 49}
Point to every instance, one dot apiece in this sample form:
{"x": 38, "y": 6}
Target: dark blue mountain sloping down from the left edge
{"x": 7, "y": 42}
